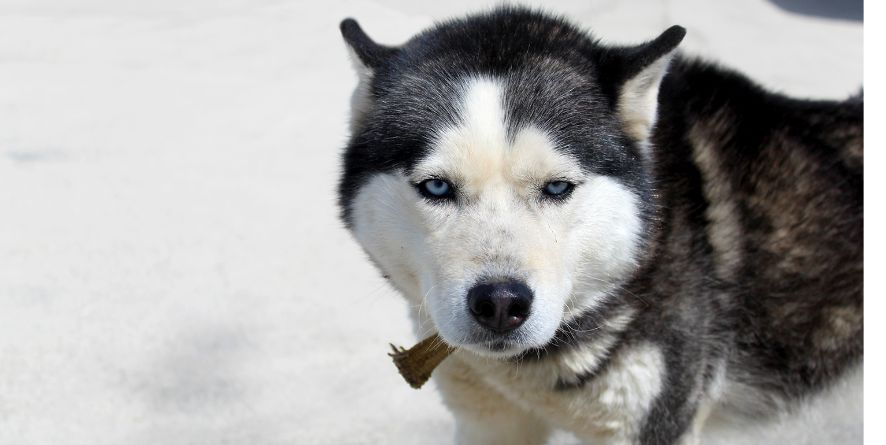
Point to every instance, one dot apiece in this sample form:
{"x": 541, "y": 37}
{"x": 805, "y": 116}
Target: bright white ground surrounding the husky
{"x": 171, "y": 267}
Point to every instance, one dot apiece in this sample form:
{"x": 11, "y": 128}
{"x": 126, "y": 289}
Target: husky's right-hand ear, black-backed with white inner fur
{"x": 633, "y": 75}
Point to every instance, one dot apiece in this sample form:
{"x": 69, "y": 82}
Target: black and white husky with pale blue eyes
{"x": 616, "y": 239}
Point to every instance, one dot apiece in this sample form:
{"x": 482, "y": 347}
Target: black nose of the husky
{"x": 501, "y": 306}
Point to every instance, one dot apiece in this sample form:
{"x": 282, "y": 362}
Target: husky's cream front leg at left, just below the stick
{"x": 483, "y": 416}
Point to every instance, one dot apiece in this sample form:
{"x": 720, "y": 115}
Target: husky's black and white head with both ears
{"x": 497, "y": 171}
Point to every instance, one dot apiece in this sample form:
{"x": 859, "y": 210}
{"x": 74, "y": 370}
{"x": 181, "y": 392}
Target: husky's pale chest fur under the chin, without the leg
{"x": 567, "y": 393}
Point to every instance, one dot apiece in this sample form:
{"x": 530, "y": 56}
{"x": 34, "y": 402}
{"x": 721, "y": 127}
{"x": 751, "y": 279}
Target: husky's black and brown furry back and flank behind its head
{"x": 777, "y": 183}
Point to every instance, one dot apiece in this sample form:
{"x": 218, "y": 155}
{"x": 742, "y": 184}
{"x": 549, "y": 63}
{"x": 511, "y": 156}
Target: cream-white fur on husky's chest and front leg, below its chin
{"x": 609, "y": 409}
